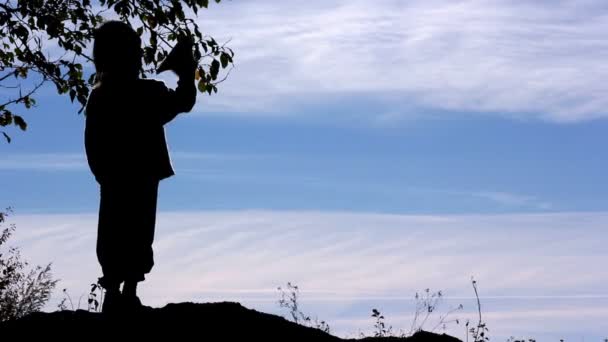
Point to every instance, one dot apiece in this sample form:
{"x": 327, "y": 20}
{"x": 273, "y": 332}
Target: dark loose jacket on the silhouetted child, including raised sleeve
{"x": 124, "y": 134}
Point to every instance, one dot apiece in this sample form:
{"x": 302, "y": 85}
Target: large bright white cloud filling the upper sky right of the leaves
{"x": 523, "y": 59}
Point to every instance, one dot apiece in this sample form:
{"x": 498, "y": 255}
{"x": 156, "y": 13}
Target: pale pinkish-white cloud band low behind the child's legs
{"x": 347, "y": 260}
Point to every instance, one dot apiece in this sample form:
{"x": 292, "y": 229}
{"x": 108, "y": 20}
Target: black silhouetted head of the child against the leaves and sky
{"x": 117, "y": 50}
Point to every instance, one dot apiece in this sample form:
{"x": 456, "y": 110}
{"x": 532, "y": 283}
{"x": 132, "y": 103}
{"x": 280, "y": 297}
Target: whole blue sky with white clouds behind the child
{"x": 484, "y": 117}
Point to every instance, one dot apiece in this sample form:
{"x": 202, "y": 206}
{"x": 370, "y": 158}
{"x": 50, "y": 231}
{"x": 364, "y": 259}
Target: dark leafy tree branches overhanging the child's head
{"x": 47, "y": 41}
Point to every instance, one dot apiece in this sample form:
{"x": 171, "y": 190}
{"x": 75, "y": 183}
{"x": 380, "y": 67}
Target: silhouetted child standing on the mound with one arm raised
{"x": 128, "y": 155}
